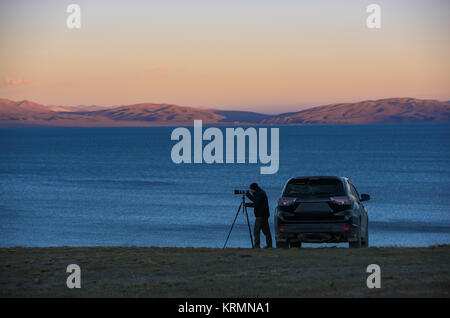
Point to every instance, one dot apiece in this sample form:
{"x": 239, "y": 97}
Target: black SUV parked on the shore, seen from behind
{"x": 321, "y": 210}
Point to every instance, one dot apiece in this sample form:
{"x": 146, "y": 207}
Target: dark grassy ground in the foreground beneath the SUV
{"x": 208, "y": 272}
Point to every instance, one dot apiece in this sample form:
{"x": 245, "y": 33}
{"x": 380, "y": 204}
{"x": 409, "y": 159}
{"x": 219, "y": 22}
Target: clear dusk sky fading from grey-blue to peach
{"x": 265, "y": 56}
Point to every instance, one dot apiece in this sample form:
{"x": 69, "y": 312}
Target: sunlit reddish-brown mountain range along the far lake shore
{"x": 389, "y": 110}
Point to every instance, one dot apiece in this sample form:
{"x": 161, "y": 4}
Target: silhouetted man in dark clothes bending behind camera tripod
{"x": 261, "y": 210}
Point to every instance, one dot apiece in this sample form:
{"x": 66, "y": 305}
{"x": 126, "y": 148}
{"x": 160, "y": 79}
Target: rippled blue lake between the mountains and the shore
{"x": 119, "y": 186}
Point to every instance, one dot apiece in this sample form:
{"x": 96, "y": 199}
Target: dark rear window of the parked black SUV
{"x": 303, "y": 188}
